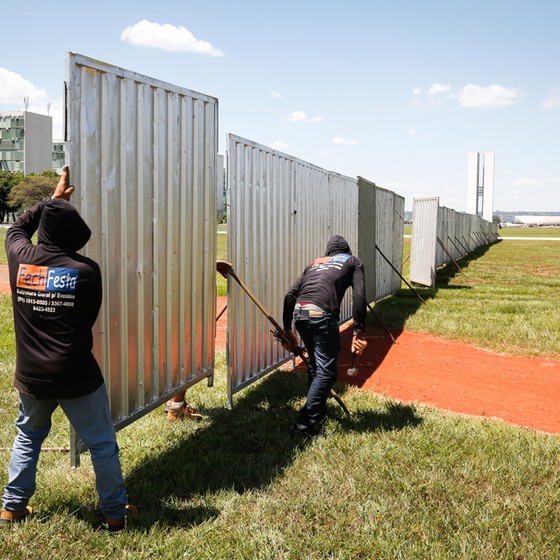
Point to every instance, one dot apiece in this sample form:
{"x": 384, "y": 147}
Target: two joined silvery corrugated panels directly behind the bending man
{"x": 282, "y": 213}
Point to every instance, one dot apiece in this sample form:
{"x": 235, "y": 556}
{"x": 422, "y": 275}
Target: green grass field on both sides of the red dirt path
{"x": 394, "y": 481}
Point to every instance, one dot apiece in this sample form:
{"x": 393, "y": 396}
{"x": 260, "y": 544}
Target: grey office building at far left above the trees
{"x": 25, "y": 142}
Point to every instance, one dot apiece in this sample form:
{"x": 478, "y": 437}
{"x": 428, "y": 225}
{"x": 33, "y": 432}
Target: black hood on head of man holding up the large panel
{"x": 61, "y": 225}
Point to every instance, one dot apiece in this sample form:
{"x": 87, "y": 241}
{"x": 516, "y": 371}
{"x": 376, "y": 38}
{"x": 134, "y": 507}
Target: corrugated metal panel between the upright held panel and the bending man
{"x": 260, "y": 222}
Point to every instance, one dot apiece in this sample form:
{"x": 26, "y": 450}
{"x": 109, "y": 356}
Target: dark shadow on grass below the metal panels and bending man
{"x": 240, "y": 450}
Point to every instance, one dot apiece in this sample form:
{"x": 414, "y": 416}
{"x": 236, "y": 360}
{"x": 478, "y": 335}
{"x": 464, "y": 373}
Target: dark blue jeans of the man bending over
{"x": 322, "y": 340}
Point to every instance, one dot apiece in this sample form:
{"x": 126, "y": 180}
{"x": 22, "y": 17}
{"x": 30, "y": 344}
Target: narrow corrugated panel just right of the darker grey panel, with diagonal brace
{"x": 389, "y": 223}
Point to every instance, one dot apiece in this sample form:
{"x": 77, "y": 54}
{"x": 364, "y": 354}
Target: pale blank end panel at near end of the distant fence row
{"x": 425, "y": 233}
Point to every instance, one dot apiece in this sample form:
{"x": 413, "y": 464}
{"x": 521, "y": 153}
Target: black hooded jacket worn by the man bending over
{"x": 325, "y": 281}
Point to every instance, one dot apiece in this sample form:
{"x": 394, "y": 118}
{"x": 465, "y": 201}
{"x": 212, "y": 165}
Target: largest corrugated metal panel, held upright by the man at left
{"x": 143, "y": 155}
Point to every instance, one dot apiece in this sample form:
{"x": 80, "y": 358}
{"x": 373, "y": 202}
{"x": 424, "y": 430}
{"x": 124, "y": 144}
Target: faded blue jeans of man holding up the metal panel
{"x": 91, "y": 419}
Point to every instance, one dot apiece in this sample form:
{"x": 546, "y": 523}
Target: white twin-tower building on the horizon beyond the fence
{"x": 480, "y": 185}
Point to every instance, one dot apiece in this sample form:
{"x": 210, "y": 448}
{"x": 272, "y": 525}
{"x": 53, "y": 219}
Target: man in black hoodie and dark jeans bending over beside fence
{"x": 313, "y": 304}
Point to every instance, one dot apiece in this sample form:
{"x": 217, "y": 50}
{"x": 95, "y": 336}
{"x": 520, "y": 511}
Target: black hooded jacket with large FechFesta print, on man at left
{"x": 56, "y": 296}
